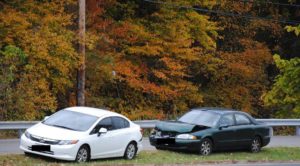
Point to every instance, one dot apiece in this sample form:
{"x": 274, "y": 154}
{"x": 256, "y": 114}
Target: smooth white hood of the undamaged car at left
{"x": 56, "y": 133}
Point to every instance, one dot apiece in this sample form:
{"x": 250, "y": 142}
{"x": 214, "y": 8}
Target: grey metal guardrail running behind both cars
{"x": 147, "y": 124}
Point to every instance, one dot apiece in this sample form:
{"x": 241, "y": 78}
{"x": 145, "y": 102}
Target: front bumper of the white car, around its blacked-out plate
{"x": 62, "y": 152}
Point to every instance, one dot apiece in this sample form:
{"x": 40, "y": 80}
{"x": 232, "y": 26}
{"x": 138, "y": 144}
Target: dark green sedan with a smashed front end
{"x": 209, "y": 129}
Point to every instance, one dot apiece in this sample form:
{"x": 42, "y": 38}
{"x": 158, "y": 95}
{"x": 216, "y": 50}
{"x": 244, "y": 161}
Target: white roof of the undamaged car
{"x": 92, "y": 111}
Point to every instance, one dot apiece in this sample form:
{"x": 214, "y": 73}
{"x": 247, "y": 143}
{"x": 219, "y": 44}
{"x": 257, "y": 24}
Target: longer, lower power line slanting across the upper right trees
{"x": 224, "y": 13}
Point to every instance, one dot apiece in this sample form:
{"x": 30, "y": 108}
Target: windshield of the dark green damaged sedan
{"x": 203, "y": 118}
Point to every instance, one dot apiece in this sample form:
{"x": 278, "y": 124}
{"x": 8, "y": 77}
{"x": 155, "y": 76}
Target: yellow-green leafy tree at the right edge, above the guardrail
{"x": 285, "y": 93}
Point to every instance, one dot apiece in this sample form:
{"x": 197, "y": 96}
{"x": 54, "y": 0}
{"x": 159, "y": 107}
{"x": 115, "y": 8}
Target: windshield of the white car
{"x": 71, "y": 120}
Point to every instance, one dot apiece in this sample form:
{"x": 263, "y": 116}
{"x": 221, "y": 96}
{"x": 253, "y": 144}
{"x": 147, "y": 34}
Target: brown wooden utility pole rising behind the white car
{"x": 81, "y": 69}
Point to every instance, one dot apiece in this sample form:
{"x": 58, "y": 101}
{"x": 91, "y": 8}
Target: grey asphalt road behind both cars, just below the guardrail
{"x": 11, "y": 146}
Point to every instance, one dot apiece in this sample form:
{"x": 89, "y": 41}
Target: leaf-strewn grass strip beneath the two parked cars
{"x": 166, "y": 157}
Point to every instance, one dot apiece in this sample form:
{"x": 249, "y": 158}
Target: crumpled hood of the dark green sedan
{"x": 175, "y": 126}
